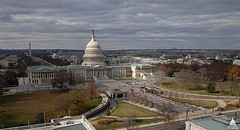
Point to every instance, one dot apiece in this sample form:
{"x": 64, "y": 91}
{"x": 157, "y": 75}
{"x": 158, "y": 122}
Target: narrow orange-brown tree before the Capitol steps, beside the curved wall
{"x": 93, "y": 92}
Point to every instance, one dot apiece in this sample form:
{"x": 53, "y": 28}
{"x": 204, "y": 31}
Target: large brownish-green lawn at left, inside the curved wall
{"x": 16, "y": 110}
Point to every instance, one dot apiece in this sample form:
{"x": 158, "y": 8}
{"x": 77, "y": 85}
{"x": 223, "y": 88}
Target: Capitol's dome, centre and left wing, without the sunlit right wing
{"x": 93, "y": 67}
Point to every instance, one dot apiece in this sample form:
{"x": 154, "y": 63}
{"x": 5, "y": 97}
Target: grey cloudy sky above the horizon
{"x": 120, "y": 24}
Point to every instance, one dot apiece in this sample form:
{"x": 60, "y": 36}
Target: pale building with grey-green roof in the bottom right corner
{"x": 213, "y": 123}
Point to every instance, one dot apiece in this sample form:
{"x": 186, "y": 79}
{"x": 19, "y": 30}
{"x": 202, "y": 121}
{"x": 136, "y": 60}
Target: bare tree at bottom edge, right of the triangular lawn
{"x": 168, "y": 113}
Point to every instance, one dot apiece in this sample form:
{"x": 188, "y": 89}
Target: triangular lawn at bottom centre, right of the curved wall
{"x": 125, "y": 109}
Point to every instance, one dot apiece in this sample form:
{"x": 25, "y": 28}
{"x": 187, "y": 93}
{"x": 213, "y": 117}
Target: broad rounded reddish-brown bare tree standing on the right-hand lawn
{"x": 185, "y": 77}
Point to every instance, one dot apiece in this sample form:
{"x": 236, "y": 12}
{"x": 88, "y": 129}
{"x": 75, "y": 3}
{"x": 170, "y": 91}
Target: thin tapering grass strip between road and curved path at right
{"x": 202, "y": 103}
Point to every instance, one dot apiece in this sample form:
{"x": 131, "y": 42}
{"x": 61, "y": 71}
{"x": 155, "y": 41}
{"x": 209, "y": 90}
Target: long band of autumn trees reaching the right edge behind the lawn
{"x": 220, "y": 73}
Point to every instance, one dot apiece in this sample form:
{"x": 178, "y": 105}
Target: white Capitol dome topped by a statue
{"x": 93, "y": 54}
